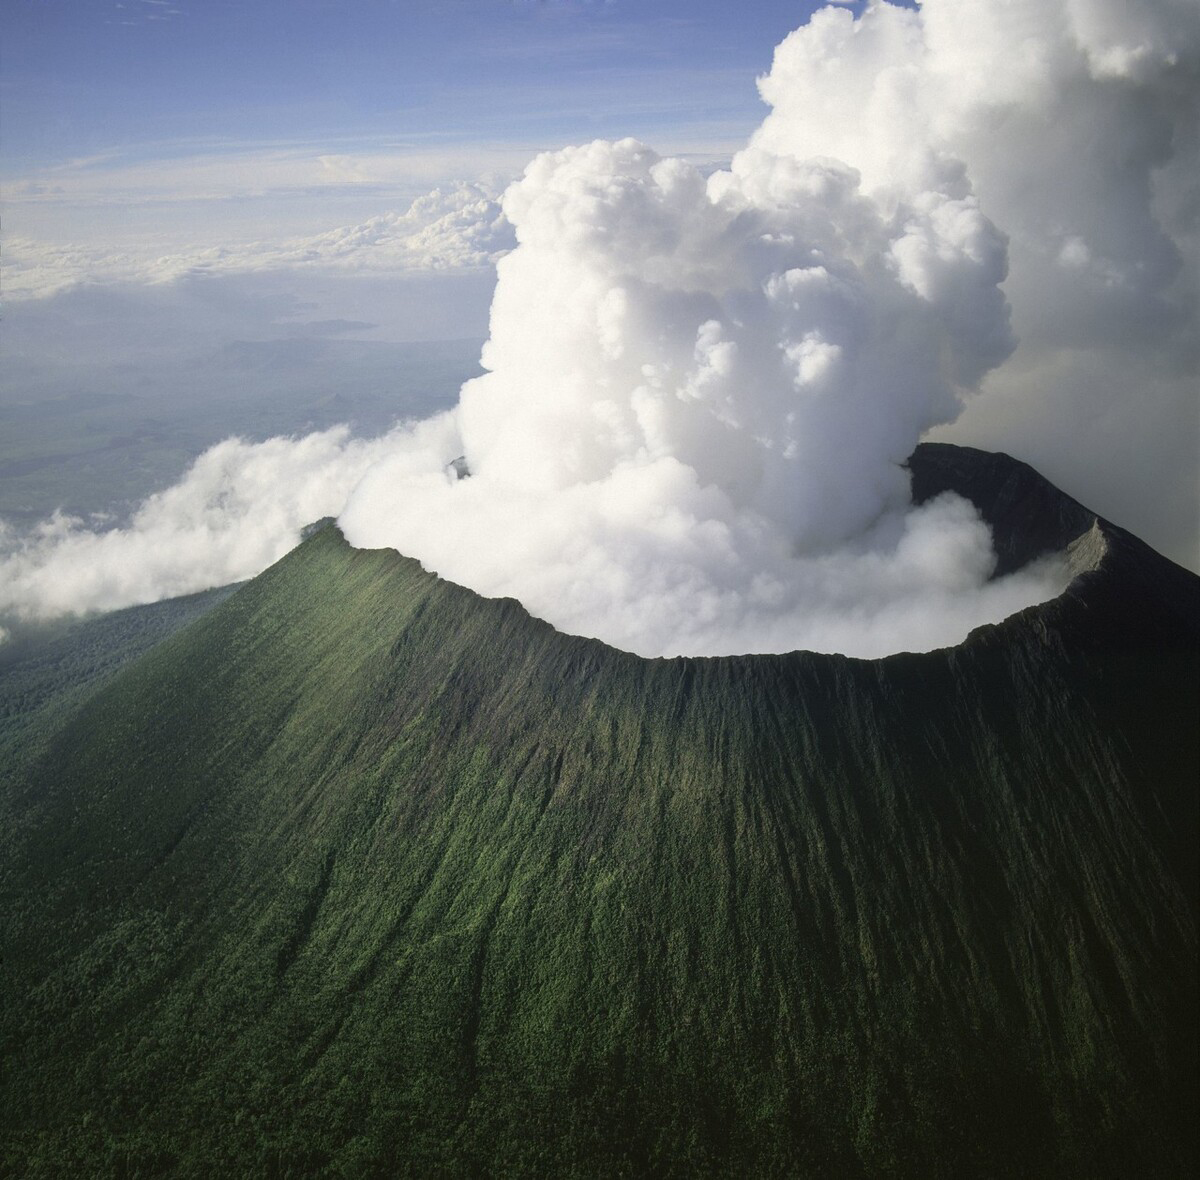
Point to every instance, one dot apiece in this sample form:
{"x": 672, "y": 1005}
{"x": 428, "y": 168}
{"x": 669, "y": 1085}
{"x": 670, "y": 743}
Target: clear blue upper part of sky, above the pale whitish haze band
{"x": 85, "y": 76}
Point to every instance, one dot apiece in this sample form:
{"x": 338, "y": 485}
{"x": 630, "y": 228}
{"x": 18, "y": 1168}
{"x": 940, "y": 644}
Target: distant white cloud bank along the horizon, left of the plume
{"x": 451, "y": 229}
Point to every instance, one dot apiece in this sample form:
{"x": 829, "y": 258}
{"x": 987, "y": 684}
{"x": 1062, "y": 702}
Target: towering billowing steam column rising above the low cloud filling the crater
{"x": 775, "y": 344}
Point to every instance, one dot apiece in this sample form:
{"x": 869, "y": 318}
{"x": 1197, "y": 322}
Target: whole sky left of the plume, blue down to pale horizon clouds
{"x": 313, "y": 112}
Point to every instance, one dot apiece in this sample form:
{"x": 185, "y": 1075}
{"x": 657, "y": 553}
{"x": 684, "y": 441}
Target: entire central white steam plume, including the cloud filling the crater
{"x": 700, "y": 399}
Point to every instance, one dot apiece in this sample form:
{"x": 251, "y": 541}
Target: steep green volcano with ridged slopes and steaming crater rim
{"x": 364, "y": 874}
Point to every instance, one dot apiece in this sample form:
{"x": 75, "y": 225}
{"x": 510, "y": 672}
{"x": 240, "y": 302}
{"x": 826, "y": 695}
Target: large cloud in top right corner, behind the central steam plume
{"x": 1059, "y": 116}
